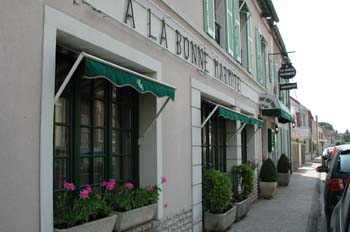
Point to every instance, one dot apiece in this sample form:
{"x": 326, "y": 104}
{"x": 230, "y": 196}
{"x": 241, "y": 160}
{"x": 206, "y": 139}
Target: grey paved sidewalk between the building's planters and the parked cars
{"x": 292, "y": 209}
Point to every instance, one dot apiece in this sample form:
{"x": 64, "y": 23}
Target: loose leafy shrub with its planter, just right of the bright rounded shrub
{"x": 243, "y": 184}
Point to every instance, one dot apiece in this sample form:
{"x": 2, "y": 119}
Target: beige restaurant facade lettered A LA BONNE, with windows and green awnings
{"x": 135, "y": 90}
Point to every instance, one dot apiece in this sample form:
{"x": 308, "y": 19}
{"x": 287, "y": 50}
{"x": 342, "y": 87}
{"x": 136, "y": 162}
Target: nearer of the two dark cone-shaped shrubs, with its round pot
{"x": 268, "y": 179}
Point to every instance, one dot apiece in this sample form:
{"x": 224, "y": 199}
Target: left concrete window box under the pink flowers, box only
{"x": 101, "y": 225}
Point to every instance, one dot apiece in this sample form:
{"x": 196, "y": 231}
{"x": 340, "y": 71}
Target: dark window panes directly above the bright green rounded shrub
{"x": 213, "y": 139}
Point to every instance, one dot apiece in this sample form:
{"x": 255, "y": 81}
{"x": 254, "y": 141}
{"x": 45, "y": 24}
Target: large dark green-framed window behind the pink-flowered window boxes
{"x": 95, "y": 129}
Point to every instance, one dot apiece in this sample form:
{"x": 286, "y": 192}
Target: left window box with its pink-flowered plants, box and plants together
{"x": 85, "y": 211}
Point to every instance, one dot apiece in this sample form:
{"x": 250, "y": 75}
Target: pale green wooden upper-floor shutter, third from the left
{"x": 237, "y": 31}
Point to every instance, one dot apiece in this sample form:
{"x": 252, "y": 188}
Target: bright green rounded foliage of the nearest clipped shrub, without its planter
{"x": 216, "y": 191}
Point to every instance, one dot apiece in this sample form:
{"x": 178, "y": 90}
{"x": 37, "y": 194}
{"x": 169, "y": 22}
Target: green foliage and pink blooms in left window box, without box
{"x": 73, "y": 208}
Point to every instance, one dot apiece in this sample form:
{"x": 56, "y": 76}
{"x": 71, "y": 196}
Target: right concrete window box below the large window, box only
{"x": 132, "y": 218}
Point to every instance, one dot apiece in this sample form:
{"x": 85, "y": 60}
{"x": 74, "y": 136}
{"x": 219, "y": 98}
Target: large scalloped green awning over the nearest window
{"x": 92, "y": 69}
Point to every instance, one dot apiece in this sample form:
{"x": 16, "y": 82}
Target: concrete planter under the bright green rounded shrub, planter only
{"x": 219, "y": 222}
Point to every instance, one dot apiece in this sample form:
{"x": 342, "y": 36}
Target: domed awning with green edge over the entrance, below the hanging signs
{"x": 271, "y": 106}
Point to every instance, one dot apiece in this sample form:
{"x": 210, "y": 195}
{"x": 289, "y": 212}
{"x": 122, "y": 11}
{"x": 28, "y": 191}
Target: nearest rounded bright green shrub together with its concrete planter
{"x": 219, "y": 214}
